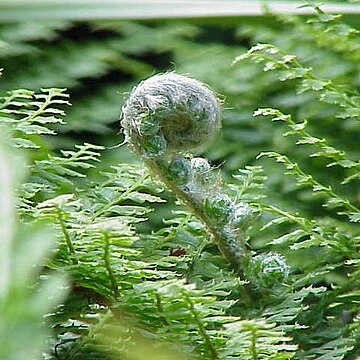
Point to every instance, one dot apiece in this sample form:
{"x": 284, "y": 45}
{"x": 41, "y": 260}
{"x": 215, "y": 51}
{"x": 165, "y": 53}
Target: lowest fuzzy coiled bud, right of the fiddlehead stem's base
{"x": 268, "y": 270}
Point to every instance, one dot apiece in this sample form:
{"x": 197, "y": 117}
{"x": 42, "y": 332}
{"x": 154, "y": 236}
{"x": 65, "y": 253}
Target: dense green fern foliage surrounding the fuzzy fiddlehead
{"x": 99, "y": 260}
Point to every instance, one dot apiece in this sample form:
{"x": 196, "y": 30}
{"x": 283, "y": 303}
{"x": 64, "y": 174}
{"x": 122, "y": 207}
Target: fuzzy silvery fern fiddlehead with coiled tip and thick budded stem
{"x": 165, "y": 119}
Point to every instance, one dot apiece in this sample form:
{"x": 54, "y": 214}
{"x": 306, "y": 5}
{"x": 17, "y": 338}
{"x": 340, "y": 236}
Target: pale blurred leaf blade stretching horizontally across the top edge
{"x": 11, "y": 10}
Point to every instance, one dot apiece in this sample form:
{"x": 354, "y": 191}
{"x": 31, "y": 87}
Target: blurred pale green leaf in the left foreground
{"x": 25, "y": 297}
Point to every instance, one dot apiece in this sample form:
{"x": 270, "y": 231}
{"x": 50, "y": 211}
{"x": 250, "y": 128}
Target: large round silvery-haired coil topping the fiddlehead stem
{"x": 170, "y": 113}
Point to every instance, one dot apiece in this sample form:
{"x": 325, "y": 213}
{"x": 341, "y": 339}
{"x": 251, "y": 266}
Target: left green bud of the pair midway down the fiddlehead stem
{"x": 220, "y": 208}
